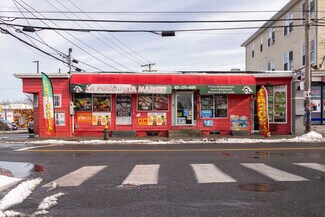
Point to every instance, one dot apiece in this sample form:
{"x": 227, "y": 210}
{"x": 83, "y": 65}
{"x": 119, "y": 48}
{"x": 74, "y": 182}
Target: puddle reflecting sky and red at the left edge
{"x": 18, "y": 169}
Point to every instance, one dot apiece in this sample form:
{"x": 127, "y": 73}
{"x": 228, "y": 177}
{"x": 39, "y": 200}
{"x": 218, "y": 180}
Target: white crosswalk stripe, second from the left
{"x": 143, "y": 175}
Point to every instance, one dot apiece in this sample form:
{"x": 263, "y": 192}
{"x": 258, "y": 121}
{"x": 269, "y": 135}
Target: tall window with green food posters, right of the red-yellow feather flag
{"x": 277, "y": 103}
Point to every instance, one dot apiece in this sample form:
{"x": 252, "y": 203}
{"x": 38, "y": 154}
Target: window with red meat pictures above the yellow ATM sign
{"x": 152, "y": 102}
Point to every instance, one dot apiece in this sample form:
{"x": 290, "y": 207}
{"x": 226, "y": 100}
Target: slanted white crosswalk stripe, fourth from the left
{"x": 273, "y": 173}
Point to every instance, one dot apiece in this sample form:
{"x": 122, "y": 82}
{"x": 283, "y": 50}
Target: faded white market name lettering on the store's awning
{"x": 121, "y": 88}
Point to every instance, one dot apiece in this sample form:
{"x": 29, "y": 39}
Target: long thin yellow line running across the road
{"x": 176, "y": 150}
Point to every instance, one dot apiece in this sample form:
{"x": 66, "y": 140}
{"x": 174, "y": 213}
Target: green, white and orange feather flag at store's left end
{"x": 48, "y": 104}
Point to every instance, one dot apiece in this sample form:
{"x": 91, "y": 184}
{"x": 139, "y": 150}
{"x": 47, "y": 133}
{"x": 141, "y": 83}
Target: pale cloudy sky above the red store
{"x": 204, "y": 50}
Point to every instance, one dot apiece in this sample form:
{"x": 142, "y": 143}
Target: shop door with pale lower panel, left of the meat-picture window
{"x": 123, "y": 109}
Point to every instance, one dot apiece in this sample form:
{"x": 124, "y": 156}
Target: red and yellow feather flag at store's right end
{"x": 262, "y": 112}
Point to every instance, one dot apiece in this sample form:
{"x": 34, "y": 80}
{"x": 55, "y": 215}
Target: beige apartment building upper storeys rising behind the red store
{"x": 280, "y": 43}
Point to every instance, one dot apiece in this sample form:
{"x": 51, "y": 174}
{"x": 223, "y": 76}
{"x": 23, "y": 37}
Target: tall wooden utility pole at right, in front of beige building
{"x": 307, "y": 68}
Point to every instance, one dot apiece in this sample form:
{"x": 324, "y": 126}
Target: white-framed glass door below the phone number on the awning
{"x": 184, "y": 108}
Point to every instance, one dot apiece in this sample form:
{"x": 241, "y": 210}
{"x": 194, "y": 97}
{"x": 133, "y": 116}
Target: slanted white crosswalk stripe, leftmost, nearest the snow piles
{"x": 76, "y": 177}
